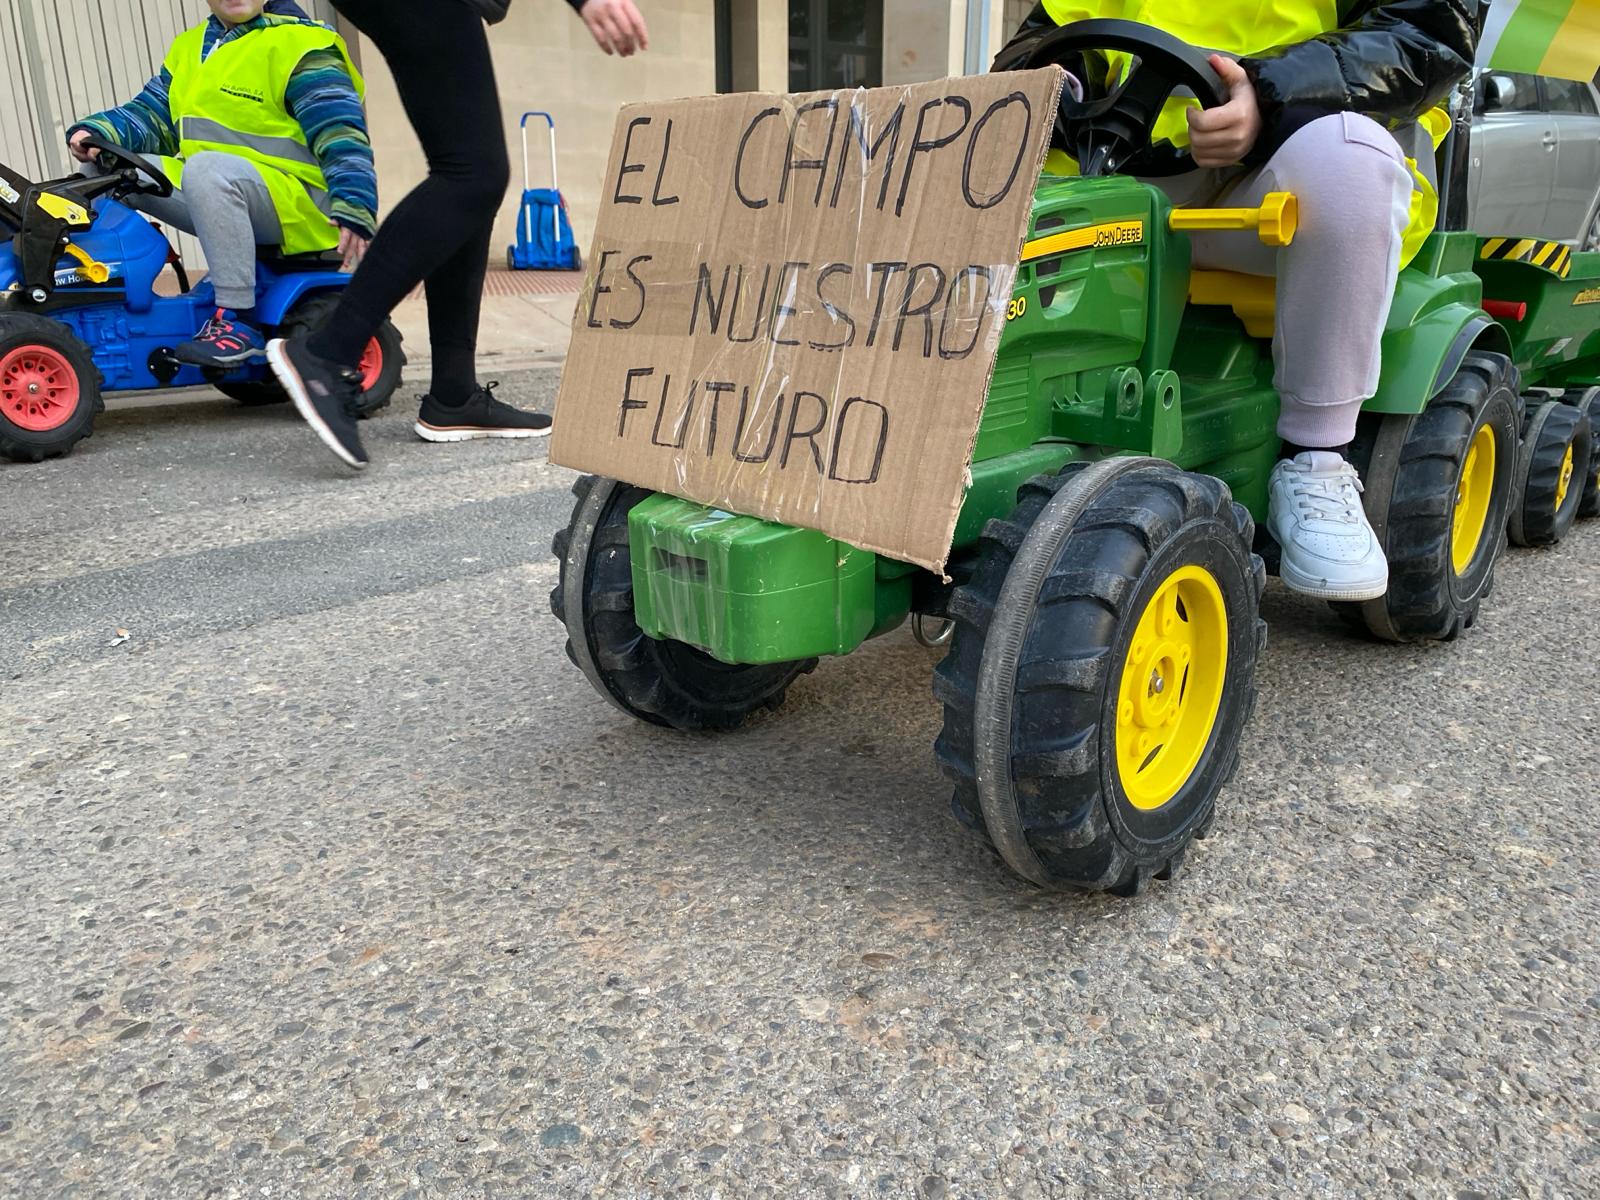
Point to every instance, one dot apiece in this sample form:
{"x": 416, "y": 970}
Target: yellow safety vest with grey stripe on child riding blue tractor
{"x": 233, "y": 102}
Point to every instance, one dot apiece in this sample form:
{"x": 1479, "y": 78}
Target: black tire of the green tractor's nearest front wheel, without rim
{"x": 1044, "y": 636}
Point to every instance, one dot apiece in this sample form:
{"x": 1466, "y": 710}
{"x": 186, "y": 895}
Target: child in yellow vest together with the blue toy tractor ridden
{"x": 250, "y": 137}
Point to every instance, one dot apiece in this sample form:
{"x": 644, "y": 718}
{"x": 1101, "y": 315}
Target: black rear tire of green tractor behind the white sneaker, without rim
{"x": 1412, "y": 468}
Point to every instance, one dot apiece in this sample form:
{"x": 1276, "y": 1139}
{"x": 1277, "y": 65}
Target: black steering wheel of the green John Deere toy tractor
{"x": 1113, "y": 134}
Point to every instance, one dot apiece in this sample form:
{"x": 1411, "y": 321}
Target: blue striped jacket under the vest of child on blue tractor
{"x": 319, "y": 95}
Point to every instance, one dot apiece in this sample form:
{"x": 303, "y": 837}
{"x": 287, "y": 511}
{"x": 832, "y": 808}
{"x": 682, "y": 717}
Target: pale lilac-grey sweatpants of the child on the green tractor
{"x": 1337, "y": 279}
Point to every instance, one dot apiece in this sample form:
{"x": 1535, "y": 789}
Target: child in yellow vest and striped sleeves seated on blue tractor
{"x": 257, "y": 116}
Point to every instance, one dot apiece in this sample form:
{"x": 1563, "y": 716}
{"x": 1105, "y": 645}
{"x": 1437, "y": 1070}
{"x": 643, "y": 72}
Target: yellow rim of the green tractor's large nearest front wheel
{"x": 1172, "y": 687}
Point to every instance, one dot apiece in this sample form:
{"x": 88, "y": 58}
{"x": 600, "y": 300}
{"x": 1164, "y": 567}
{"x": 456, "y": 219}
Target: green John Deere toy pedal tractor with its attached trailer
{"x": 1106, "y": 572}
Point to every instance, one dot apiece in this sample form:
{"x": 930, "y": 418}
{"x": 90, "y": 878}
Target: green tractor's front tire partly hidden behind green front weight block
{"x": 657, "y": 681}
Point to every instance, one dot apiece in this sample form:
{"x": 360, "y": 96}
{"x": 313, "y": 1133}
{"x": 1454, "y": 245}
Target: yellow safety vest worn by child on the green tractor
{"x": 1244, "y": 30}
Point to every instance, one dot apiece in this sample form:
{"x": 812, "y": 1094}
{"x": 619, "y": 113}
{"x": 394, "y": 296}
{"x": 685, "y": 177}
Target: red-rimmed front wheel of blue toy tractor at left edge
{"x": 49, "y": 388}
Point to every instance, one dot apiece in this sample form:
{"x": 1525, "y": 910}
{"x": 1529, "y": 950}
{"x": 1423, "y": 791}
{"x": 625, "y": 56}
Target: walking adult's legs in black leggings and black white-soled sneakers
{"x": 438, "y": 236}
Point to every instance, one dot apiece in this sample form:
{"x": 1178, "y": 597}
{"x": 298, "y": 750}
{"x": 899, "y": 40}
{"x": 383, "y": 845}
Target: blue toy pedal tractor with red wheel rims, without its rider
{"x": 81, "y": 316}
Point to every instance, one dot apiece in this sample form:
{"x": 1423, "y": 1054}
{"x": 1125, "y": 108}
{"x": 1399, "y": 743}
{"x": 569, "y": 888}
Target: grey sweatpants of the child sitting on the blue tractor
{"x": 225, "y": 202}
